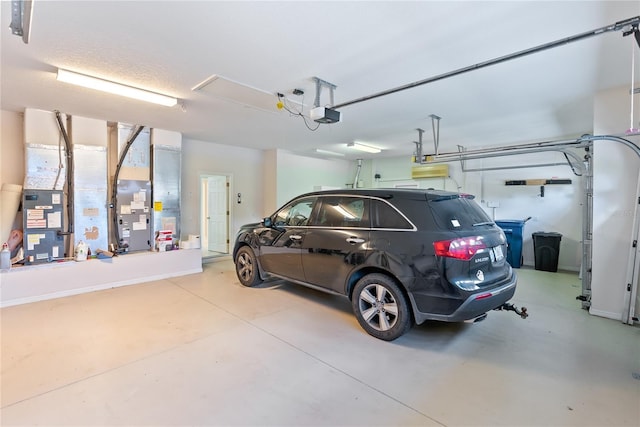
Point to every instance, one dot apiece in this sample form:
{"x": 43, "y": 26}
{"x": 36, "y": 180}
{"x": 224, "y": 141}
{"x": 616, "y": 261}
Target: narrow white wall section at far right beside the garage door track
{"x": 615, "y": 183}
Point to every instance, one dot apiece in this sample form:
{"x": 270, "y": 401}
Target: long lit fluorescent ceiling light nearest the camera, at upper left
{"x": 115, "y": 88}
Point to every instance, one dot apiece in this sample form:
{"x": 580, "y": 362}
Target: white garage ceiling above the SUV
{"x": 362, "y": 47}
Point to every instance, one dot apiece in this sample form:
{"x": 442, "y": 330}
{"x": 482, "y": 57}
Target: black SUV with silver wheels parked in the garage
{"x": 400, "y": 255}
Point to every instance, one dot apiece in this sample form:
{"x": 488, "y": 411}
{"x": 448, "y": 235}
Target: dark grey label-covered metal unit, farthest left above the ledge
{"x": 43, "y": 222}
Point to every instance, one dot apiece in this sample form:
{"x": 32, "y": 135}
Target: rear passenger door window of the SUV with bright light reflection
{"x": 343, "y": 211}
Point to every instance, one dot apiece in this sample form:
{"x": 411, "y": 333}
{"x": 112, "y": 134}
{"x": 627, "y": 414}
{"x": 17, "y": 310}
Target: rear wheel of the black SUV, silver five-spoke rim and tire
{"x": 380, "y": 307}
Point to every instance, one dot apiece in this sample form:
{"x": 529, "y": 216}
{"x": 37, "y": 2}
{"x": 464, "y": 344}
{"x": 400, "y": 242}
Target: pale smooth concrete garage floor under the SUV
{"x": 203, "y": 350}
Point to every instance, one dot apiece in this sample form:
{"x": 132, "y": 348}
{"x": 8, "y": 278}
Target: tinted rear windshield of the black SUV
{"x": 458, "y": 213}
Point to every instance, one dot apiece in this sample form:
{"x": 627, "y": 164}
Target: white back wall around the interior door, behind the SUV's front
{"x": 266, "y": 179}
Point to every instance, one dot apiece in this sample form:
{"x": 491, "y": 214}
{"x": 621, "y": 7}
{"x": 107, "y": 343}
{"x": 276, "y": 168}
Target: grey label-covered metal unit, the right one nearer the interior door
{"x": 133, "y": 215}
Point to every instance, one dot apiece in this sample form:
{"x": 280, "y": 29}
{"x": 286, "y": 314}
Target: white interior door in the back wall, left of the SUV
{"x": 218, "y": 214}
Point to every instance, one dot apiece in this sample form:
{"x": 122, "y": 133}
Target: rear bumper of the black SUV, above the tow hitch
{"x": 475, "y": 305}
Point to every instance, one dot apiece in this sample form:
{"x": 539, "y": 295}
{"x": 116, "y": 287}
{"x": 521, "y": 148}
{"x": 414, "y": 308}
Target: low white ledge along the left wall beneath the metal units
{"x": 32, "y": 283}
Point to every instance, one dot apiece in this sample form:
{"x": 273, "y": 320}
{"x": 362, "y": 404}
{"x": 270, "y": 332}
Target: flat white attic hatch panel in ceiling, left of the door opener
{"x": 240, "y": 93}
